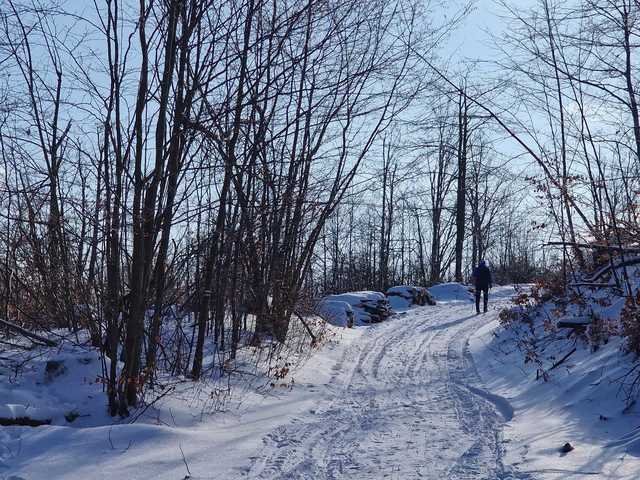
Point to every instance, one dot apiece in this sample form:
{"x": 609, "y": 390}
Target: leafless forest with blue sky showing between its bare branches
{"x": 182, "y": 181}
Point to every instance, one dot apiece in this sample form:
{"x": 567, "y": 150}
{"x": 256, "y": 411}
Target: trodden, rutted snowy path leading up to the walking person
{"x": 405, "y": 402}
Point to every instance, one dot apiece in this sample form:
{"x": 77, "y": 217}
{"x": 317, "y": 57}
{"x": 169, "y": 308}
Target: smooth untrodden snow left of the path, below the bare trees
{"x": 172, "y": 432}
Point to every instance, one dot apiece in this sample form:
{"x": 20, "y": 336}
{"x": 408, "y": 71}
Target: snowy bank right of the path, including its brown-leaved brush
{"x": 563, "y": 365}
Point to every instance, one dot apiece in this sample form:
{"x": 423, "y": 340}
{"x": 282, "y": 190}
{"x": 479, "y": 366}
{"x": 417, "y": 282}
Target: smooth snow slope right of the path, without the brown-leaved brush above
{"x": 581, "y": 403}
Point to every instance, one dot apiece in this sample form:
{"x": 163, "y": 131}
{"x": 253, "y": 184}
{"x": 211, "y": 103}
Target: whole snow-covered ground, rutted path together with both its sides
{"x": 402, "y": 399}
